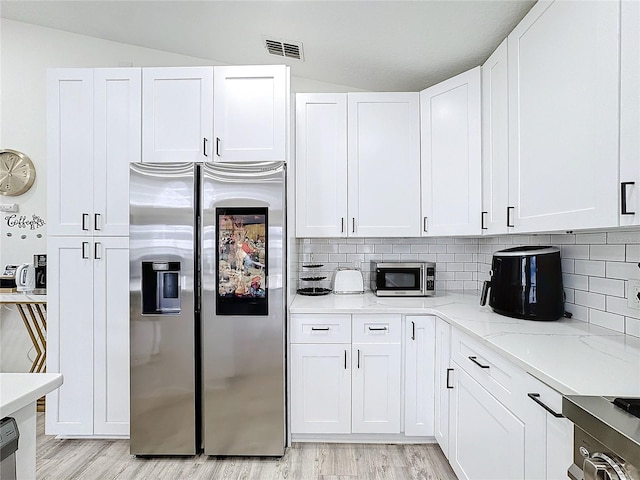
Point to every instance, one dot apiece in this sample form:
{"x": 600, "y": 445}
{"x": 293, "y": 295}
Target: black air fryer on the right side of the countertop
{"x": 526, "y": 282}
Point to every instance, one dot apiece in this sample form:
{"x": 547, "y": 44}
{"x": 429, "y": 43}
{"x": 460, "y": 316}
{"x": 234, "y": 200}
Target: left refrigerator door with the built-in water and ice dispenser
{"x": 162, "y": 328}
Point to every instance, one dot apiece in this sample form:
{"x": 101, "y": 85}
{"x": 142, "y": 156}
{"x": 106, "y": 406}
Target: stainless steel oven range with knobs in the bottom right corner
{"x": 606, "y": 439}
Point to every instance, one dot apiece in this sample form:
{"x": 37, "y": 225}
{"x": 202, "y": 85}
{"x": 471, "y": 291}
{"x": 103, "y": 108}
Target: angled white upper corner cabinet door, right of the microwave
{"x": 451, "y": 155}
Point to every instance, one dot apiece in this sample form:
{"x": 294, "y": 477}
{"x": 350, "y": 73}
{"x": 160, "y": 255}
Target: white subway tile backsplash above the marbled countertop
{"x": 596, "y": 267}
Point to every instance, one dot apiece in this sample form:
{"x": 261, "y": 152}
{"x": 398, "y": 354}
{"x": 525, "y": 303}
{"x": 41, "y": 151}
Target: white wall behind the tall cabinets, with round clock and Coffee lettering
{"x": 26, "y": 51}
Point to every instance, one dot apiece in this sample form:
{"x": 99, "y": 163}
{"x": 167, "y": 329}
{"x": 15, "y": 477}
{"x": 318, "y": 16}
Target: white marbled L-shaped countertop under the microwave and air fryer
{"x": 571, "y": 356}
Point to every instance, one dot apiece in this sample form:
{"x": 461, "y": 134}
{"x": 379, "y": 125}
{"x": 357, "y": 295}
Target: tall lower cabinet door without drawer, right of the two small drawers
{"x": 419, "y": 376}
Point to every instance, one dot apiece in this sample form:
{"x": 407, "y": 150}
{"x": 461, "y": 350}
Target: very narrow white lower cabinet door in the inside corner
{"x": 442, "y": 385}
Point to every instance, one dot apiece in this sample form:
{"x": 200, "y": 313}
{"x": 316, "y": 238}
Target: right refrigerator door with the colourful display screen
{"x": 243, "y": 263}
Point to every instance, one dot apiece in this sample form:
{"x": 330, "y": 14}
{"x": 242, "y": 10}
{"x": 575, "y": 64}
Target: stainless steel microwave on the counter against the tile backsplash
{"x": 416, "y": 279}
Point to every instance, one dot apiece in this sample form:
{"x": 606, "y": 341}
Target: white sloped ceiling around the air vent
{"x": 372, "y": 45}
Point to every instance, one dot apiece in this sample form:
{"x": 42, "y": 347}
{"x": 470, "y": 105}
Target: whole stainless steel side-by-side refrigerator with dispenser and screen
{"x": 207, "y": 287}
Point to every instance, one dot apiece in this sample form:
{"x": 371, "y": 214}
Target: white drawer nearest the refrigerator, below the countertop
{"x": 321, "y": 328}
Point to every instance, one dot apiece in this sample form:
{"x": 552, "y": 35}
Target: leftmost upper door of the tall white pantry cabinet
{"x": 69, "y": 151}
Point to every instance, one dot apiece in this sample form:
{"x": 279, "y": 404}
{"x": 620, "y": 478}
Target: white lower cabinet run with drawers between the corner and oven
{"x": 502, "y": 422}
